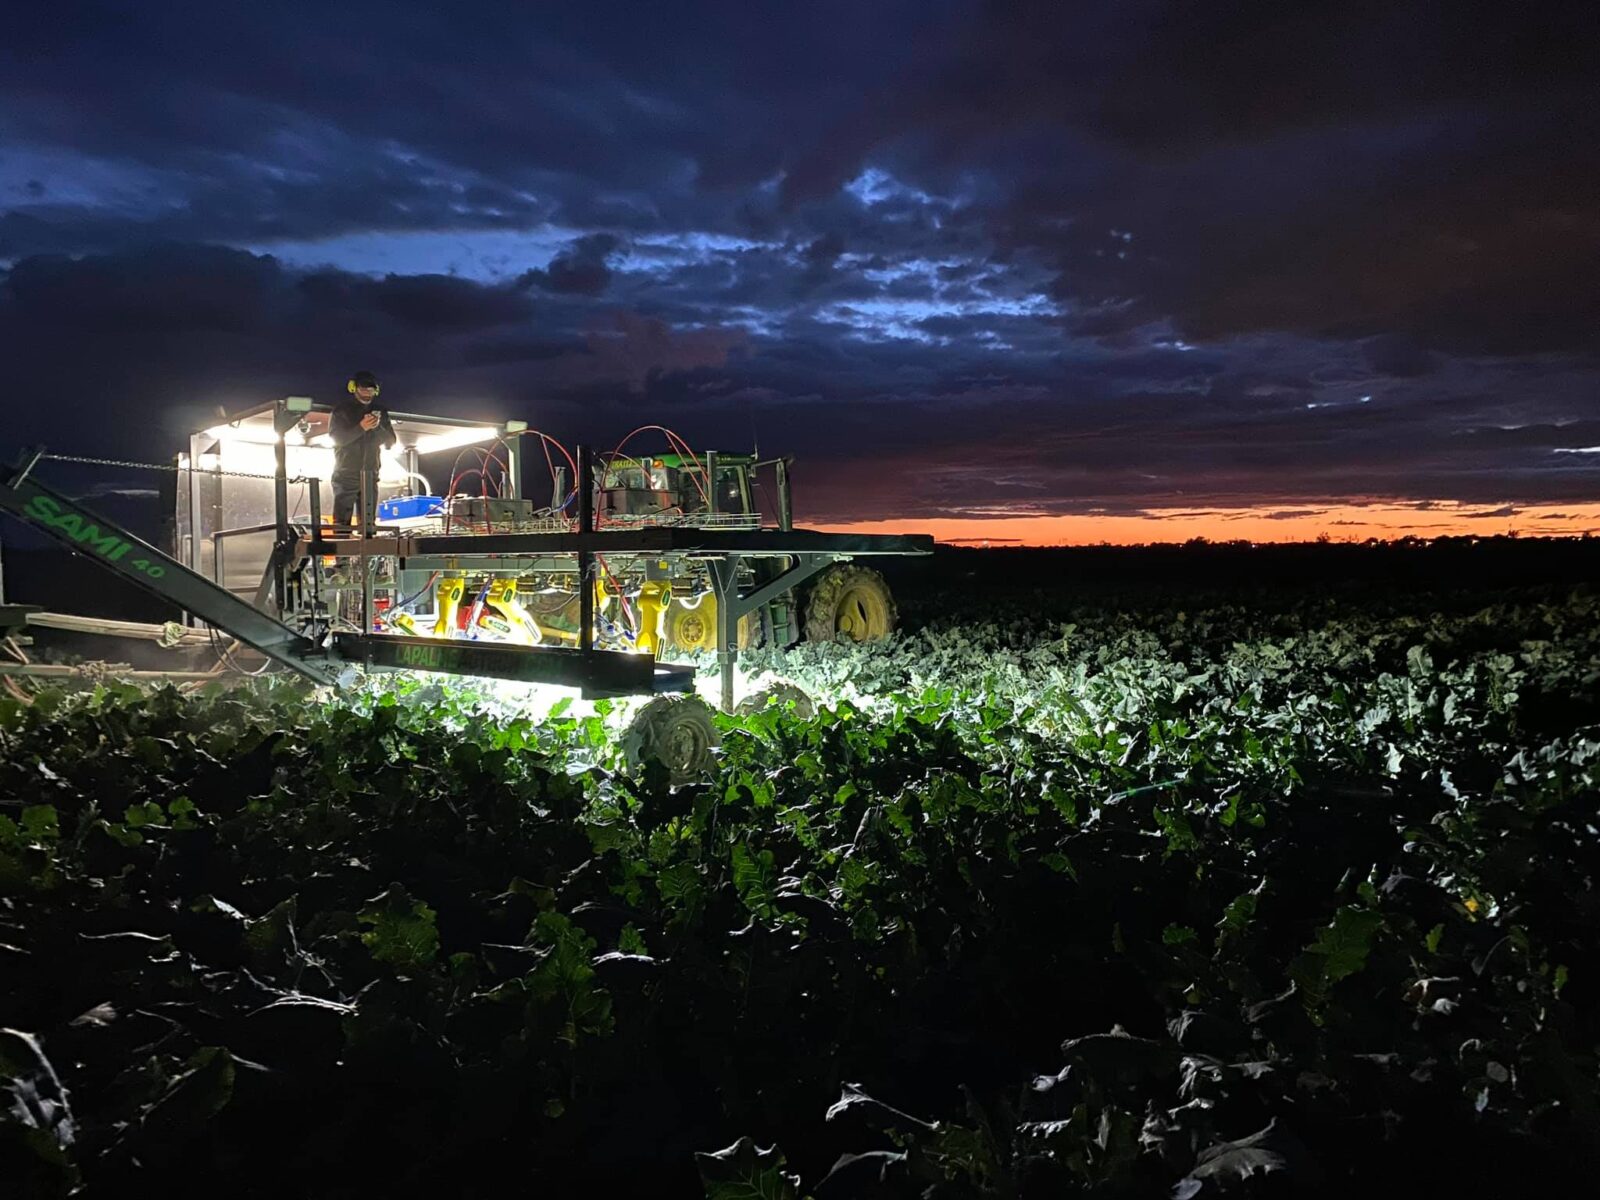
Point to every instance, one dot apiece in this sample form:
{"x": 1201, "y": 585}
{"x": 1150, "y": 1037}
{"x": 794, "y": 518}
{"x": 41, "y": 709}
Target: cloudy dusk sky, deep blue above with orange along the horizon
{"x": 1044, "y": 271}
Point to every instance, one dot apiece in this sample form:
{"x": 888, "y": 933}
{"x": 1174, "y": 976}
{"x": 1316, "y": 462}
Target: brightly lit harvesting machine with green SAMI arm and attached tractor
{"x": 628, "y": 562}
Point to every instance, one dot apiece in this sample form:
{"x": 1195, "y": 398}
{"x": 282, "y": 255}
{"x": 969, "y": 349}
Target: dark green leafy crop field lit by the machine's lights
{"x": 1137, "y": 897}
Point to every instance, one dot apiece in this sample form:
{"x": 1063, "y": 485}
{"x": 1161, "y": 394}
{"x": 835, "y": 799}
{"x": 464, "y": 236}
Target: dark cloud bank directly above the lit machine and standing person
{"x": 156, "y": 340}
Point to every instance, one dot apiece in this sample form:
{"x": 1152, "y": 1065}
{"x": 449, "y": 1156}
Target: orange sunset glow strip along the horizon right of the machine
{"x": 1441, "y": 519}
